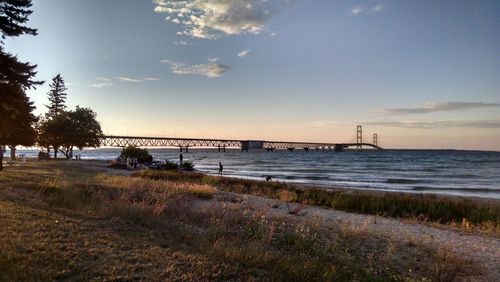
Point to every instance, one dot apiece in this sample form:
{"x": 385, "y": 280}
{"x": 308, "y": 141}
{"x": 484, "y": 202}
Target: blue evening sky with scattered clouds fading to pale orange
{"x": 420, "y": 74}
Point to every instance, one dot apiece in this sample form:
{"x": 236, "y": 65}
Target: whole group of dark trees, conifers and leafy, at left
{"x": 59, "y": 129}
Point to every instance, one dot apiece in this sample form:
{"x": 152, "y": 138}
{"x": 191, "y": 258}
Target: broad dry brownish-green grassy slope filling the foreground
{"x": 63, "y": 221}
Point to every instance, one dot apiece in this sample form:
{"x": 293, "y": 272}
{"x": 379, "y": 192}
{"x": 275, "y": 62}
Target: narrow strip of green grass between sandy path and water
{"x": 458, "y": 212}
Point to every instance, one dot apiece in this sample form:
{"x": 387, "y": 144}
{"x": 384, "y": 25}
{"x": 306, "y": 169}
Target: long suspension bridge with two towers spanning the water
{"x": 221, "y": 144}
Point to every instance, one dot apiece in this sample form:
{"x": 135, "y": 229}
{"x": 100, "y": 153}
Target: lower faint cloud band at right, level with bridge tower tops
{"x": 439, "y": 124}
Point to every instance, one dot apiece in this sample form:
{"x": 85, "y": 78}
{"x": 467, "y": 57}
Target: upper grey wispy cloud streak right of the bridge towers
{"x": 438, "y": 107}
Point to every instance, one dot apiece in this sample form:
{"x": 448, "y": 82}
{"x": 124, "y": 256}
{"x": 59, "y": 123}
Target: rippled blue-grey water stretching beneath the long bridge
{"x": 448, "y": 172}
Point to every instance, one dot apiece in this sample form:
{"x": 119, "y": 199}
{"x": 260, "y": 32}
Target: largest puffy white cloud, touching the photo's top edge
{"x": 212, "y": 19}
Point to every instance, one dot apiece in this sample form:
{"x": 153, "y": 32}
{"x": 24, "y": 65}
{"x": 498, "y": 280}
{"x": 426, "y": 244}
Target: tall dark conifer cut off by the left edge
{"x": 16, "y": 118}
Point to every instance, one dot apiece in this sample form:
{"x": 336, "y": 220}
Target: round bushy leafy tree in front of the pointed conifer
{"x": 78, "y": 128}
